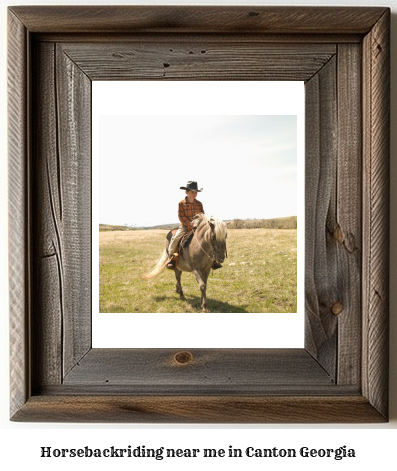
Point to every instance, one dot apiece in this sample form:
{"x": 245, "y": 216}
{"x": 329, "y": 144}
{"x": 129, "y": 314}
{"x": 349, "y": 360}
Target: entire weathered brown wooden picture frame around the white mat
{"x": 342, "y": 54}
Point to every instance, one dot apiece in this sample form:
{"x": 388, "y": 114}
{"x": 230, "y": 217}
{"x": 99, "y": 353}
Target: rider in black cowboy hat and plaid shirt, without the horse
{"x": 187, "y": 209}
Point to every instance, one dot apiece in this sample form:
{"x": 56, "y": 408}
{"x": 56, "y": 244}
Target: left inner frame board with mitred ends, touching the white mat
{"x": 74, "y": 142}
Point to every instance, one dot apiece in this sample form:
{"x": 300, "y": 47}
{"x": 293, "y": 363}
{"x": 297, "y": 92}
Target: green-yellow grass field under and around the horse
{"x": 259, "y": 275}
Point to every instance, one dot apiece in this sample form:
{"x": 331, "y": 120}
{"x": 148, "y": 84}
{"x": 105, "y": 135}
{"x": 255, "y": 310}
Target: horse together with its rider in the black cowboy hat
{"x": 198, "y": 245}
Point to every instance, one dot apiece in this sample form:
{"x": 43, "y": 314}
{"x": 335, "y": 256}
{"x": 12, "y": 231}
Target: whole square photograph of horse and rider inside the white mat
{"x": 248, "y": 233}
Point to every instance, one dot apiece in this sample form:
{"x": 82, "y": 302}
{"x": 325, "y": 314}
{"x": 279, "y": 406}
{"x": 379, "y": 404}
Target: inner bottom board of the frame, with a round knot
{"x": 229, "y": 369}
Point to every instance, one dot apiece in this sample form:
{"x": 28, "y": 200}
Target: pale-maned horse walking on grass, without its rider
{"x": 207, "y": 245}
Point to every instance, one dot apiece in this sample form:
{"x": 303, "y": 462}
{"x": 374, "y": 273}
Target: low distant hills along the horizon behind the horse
{"x": 275, "y": 223}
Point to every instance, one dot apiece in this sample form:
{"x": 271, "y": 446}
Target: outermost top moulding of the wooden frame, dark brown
{"x": 199, "y": 19}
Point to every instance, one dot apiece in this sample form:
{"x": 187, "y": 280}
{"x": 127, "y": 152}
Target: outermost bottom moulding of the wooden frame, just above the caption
{"x": 199, "y": 409}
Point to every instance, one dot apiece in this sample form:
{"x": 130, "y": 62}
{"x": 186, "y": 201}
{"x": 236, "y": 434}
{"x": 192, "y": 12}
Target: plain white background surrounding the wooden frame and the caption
{"x": 20, "y": 443}
